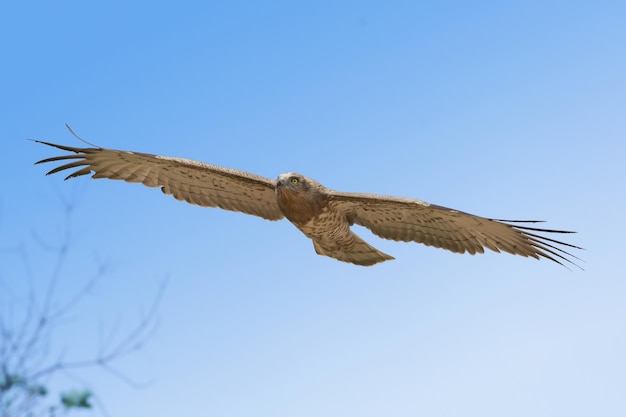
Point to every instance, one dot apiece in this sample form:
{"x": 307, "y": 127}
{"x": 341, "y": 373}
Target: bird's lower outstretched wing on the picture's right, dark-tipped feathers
{"x": 410, "y": 220}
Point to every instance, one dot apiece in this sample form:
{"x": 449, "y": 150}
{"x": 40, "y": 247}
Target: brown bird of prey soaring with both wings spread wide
{"x": 322, "y": 214}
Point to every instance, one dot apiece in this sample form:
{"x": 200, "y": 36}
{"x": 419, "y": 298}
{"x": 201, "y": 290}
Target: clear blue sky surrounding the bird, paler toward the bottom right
{"x": 502, "y": 109}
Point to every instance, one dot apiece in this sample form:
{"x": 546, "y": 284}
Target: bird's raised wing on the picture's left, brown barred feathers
{"x": 195, "y": 182}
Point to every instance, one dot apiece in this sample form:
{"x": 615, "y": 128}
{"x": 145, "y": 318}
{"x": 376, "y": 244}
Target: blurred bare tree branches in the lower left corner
{"x": 28, "y": 322}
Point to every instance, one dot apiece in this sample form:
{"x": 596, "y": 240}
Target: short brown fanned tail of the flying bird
{"x": 357, "y": 252}
